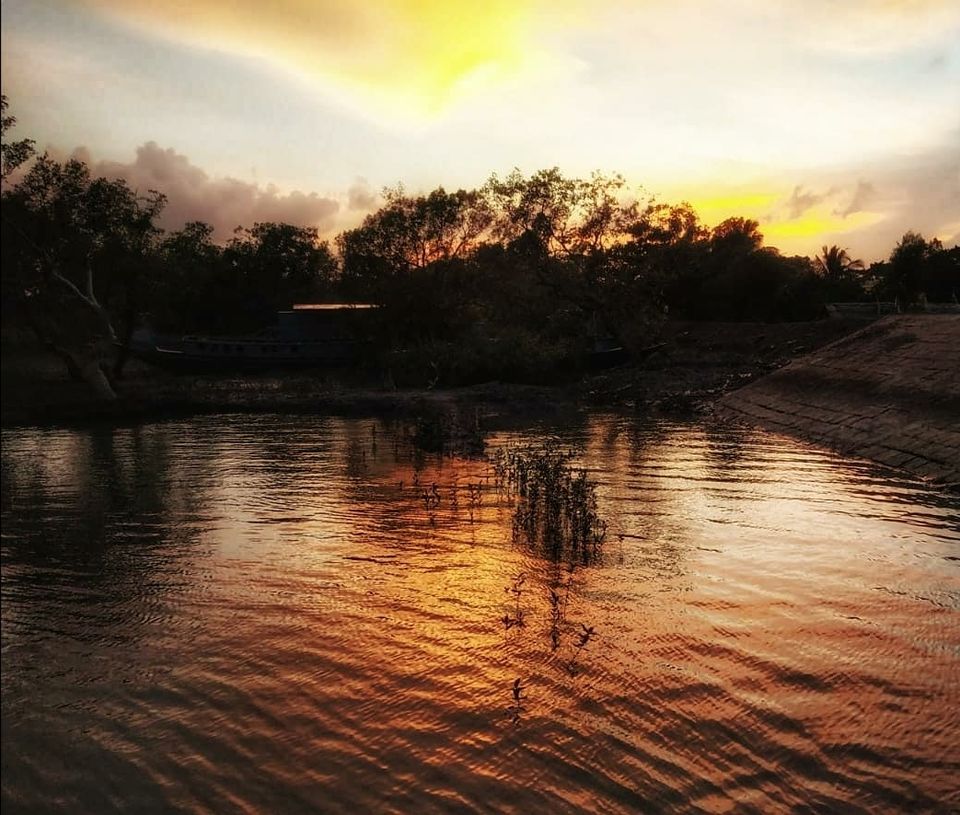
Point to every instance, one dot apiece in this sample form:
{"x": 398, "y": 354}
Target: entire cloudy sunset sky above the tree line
{"x": 829, "y": 121}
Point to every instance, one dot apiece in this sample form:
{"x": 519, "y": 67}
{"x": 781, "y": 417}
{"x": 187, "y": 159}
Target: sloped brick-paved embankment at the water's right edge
{"x": 889, "y": 392}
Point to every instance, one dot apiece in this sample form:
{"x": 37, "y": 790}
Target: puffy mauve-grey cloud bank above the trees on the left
{"x": 224, "y": 203}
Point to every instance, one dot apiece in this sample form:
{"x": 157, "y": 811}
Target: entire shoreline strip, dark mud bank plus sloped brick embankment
{"x": 866, "y": 390}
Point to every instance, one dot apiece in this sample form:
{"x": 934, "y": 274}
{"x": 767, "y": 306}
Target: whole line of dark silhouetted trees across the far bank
{"x": 513, "y": 279}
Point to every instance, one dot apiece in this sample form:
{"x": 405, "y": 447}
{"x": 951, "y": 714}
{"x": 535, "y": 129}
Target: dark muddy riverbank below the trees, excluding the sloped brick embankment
{"x": 687, "y": 368}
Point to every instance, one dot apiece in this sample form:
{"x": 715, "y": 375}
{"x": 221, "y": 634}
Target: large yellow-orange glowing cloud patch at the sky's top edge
{"x": 410, "y": 58}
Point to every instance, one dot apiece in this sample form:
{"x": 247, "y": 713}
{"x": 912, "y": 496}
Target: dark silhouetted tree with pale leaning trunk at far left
{"x": 77, "y": 259}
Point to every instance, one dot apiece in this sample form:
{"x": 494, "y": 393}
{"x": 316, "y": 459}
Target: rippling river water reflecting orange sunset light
{"x": 264, "y": 614}
